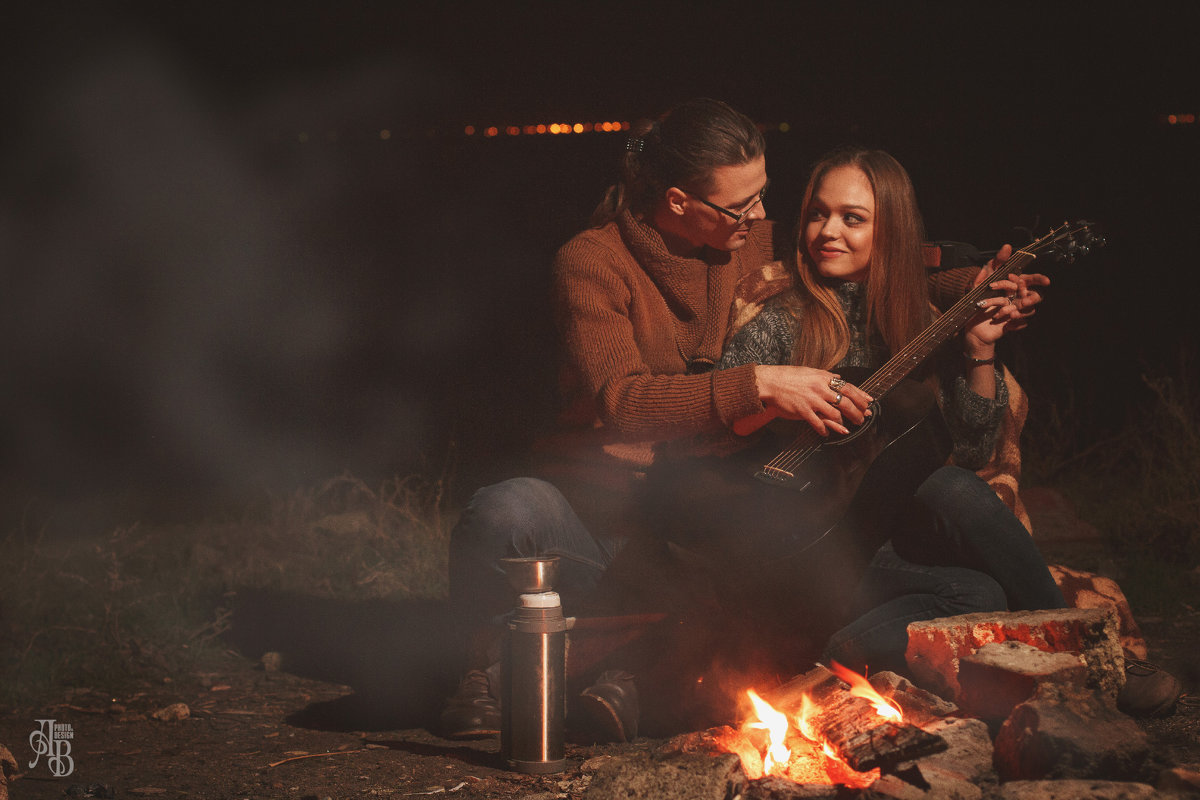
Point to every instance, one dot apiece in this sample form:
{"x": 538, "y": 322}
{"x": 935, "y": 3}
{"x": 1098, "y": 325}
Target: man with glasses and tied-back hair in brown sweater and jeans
{"x": 644, "y": 300}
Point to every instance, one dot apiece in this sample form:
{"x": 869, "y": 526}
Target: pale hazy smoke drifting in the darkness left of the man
{"x": 196, "y": 286}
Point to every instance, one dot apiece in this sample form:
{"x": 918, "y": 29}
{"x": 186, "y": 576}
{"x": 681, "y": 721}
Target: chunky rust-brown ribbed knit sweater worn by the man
{"x": 632, "y": 316}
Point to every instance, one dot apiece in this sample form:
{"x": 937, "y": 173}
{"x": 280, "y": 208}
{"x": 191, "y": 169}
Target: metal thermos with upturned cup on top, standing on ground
{"x": 533, "y": 699}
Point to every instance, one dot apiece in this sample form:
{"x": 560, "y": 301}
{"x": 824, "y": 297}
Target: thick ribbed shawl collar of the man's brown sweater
{"x": 682, "y": 280}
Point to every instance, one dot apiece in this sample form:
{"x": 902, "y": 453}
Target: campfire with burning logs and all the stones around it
{"x": 1009, "y": 699}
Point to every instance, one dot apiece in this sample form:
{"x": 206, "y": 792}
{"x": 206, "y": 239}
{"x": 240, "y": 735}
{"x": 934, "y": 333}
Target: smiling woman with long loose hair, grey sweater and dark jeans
{"x": 859, "y": 296}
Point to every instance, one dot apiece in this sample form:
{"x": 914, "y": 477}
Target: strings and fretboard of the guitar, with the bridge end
{"x": 920, "y": 348}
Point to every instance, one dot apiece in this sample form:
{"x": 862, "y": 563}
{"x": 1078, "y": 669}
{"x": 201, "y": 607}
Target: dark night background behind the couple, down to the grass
{"x": 200, "y": 302}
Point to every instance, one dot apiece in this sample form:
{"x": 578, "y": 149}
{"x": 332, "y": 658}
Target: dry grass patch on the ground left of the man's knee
{"x": 151, "y": 603}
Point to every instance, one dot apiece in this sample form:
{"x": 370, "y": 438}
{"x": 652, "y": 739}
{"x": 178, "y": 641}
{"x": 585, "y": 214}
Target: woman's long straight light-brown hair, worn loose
{"x": 897, "y": 288}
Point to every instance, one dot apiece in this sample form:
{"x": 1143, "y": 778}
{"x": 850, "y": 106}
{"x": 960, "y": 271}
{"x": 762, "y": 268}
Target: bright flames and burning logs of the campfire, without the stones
{"x": 815, "y": 732}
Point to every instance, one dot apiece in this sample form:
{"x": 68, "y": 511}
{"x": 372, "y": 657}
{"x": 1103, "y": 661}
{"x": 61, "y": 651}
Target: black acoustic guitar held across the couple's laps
{"x": 857, "y": 484}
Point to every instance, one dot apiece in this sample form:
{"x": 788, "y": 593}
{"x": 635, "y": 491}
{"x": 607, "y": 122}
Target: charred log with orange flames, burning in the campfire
{"x": 848, "y": 715}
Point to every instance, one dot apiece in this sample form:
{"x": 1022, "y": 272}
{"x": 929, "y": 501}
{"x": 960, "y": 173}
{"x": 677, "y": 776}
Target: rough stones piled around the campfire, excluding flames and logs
{"x": 1025, "y": 702}
